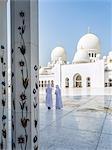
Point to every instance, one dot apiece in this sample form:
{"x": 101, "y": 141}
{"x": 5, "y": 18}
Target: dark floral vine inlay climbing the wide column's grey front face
{"x": 24, "y": 120}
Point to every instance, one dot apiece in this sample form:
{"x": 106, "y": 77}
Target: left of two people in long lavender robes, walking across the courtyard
{"x": 49, "y": 97}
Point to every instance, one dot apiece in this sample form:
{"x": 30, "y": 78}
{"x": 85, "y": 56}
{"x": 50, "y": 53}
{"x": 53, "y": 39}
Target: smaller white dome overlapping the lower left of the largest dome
{"x": 81, "y": 57}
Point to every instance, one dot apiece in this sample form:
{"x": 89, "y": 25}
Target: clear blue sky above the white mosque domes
{"x": 63, "y": 22}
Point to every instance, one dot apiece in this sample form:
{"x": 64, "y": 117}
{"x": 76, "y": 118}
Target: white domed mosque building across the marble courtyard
{"x": 87, "y": 69}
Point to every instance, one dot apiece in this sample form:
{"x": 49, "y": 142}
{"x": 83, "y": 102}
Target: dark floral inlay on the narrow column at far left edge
{"x": 3, "y": 143}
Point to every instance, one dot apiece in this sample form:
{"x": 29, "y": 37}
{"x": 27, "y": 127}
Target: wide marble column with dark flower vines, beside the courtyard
{"x": 24, "y": 44}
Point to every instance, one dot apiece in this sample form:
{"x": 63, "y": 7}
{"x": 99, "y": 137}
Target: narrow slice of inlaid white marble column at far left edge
{"x": 3, "y": 77}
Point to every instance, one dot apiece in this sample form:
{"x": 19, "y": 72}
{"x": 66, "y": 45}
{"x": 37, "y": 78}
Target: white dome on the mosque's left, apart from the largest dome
{"x": 58, "y": 52}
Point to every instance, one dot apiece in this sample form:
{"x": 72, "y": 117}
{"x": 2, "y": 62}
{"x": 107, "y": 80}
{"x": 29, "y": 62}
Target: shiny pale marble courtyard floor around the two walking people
{"x": 84, "y": 123}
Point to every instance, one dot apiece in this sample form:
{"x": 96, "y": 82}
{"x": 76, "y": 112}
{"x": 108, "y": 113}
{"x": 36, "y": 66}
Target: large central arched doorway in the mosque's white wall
{"x": 77, "y": 80}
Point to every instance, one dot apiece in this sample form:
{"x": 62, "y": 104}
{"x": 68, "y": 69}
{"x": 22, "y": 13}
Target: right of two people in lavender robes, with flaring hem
{"x": 59, "y": 104}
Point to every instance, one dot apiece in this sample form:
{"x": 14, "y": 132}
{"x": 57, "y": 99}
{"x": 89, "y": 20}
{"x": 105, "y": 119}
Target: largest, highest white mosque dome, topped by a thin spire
{"x": 89, "y": 42}
